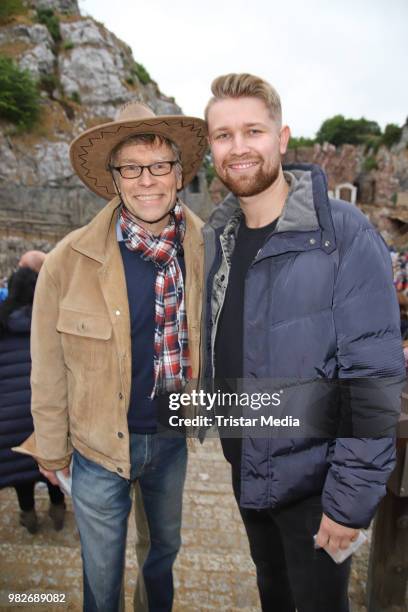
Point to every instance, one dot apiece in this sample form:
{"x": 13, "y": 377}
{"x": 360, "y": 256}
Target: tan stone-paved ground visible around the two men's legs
{"x": 213, "y": 570}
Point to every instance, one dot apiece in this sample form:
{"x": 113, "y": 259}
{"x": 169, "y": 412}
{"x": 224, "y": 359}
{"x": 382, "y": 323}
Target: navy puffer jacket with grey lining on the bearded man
{"x": 319, "y": 305}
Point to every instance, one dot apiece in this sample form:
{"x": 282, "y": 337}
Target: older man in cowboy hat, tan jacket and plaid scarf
{"x": 115, "y": 330}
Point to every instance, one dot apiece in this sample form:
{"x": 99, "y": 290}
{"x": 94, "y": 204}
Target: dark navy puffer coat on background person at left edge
{"x": 16, "y": 423}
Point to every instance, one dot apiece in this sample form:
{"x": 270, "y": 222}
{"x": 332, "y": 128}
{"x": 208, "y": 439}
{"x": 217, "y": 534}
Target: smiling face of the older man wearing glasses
{"x": 148, "y": 198}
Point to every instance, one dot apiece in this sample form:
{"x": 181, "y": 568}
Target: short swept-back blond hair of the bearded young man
{"x": 246, "y": 86}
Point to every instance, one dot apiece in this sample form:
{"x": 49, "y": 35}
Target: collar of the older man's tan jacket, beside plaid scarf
{"x": 94, "y": 240}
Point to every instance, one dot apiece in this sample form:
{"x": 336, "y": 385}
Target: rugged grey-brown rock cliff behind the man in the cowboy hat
{"x": 85, "y": 77}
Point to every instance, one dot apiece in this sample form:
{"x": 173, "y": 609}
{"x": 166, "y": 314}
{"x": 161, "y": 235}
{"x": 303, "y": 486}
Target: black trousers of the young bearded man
{"x": 291, "y": 574}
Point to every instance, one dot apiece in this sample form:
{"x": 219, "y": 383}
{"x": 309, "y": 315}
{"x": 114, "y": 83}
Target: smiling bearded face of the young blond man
{"x": 246, "y": 144}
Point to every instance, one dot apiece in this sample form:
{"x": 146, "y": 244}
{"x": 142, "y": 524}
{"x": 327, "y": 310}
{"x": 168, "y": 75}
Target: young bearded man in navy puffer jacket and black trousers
{"x": 299, "y": 291}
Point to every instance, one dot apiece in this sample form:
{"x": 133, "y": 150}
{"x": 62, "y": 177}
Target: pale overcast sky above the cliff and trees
{"x": 325, "y": 57}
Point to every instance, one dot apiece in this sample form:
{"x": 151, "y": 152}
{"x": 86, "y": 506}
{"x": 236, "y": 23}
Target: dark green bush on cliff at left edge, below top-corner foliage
{"x": 19, "y": 95}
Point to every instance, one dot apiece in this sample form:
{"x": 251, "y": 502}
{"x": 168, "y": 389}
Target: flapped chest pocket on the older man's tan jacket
{"x": 85, "y": 339}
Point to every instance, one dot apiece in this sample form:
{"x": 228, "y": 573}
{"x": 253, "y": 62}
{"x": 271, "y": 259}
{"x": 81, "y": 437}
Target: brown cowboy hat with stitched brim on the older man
{"x": 90, "y": 151}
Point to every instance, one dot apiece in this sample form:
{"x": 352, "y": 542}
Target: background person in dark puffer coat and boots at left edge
{"x": 16, "y": 470}
